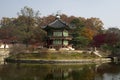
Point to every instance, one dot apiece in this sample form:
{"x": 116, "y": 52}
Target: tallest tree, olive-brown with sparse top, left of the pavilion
{"x": 26, "y": 24}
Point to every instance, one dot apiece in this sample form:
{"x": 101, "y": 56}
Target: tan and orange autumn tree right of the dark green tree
{"x": 93, "y": 26}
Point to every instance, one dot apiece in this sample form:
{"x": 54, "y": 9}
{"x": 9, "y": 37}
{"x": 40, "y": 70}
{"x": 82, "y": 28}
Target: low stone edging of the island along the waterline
{"x": 43, "y": 61}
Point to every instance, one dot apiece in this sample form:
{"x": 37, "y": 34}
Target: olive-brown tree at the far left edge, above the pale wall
{"x": 6, "y": 29}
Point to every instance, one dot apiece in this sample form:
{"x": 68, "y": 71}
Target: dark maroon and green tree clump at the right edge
{"x": 109, "y": 40}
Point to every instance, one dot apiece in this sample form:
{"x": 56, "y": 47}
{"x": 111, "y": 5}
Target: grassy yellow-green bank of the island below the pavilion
{"x": 53, "y": 56}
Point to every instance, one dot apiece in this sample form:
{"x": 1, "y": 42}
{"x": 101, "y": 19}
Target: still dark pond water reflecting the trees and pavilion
{"x": 106, "y": 71}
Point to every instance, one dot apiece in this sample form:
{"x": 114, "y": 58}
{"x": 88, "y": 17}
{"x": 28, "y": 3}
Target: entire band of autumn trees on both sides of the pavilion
{"x": 27, "y": 28}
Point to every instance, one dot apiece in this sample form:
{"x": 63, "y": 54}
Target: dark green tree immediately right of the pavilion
{"x": 79, "y": 40}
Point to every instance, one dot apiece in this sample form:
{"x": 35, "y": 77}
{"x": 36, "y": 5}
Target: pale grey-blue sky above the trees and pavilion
{"x": 107, "y": 10}
